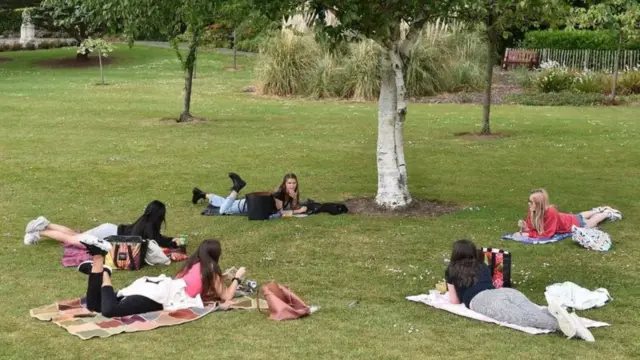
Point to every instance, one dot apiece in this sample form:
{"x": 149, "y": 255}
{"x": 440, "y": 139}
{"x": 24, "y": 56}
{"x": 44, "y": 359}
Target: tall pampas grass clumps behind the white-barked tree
{"x": 446, "y": 58}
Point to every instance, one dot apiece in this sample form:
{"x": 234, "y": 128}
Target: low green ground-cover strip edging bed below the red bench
{"x": 556, "y": 99}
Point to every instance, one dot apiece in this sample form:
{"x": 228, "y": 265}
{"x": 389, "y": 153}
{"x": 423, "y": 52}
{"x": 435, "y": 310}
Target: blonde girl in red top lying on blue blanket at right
{"x": 544, "y": 221}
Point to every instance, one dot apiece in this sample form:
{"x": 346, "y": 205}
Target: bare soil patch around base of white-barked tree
{"x": 419, "y": 207}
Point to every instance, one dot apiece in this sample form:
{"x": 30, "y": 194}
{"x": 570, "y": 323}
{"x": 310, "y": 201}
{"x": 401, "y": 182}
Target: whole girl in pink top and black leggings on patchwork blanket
{"x": 200, "y": 278}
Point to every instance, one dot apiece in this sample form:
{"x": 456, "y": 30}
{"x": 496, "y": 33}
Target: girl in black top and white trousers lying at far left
{"x": 147, "y": 226}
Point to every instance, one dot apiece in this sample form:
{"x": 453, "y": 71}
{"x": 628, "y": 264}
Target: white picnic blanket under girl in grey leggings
{"x": 441, "y": 301}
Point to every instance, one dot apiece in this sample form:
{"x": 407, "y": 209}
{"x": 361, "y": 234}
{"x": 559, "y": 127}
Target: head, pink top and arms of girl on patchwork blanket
{"x": 203, "y": 276}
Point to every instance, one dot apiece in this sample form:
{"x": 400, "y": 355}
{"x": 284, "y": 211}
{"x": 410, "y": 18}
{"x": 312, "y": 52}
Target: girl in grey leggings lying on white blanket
{"x": 469, "y": 282}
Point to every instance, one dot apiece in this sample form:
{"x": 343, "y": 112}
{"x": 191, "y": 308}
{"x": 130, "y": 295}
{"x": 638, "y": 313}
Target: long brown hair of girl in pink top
{"x": 208, "y": 255}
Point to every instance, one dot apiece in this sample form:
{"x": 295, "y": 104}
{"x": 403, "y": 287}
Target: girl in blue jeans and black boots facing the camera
{"x": 287, "y": 198}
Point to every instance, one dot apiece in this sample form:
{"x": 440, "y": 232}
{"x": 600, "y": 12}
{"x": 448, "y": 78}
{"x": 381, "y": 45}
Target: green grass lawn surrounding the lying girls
{"x": 83, "y": 154}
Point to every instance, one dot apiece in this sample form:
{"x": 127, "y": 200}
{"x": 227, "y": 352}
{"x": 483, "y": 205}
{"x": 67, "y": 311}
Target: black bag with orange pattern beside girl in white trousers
{"x": 127, "y": 252}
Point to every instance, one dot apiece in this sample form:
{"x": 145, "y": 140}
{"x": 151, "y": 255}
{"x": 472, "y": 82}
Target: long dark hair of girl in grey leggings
{"x": 464, "y": 263}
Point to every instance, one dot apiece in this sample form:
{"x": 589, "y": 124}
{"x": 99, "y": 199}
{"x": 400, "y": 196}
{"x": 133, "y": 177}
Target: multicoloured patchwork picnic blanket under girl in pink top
{"x": 74, "y": 316}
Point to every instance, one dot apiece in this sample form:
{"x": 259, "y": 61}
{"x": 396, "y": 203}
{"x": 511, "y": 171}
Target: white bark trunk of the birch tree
{"x": 393, "y": 192}
